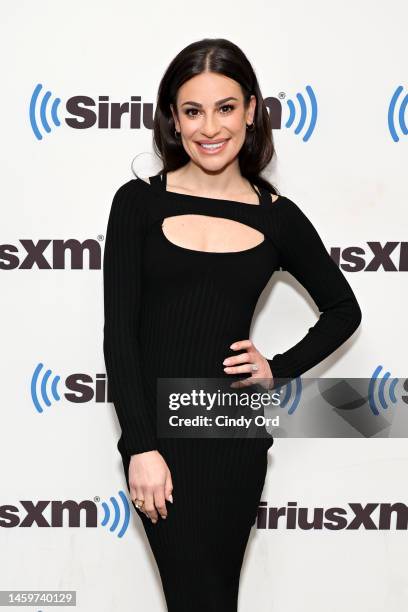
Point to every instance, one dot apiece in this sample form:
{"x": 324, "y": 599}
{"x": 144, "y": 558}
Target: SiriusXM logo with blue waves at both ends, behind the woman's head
{"x": 45, "y": 112}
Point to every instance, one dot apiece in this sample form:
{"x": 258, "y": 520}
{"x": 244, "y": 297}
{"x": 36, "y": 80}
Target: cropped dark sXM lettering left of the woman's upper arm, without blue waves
{"x": 11, "y": 258}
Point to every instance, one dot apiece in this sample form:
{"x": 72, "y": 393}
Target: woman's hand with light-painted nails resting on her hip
{"x": 244, "y": 362}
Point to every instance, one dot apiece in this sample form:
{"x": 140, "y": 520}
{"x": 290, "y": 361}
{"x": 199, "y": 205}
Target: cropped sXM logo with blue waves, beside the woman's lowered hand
{"x": 115, "y": 514}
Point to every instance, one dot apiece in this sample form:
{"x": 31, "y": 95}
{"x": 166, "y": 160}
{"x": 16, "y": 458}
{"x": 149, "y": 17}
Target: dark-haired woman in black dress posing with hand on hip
{"x": 187, "y": 254}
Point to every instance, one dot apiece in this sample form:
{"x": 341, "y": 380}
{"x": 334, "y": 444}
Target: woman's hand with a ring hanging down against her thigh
{"x": 150, "y": 480}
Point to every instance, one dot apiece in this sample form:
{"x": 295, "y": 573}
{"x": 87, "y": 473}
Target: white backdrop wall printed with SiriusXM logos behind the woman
{"x": 349, "y": 177}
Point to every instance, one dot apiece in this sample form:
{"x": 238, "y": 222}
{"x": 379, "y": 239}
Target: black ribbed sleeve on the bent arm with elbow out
{"x": 303, "y": 254}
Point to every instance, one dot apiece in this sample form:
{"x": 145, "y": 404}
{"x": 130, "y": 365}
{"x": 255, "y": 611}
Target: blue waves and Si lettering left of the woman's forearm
{"x": 82, "y": 388}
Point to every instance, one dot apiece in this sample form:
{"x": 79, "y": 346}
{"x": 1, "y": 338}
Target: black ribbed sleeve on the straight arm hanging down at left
{"x": 122, "y": 296}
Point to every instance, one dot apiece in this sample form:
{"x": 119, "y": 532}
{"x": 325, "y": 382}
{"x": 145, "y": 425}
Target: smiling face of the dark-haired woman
{"x": 210, "y": 110}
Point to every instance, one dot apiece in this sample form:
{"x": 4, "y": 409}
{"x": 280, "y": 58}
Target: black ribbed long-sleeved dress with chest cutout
{"x": 170, "y": 312}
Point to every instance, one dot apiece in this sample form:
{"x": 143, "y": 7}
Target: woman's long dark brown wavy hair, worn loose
{"x": 222, "y": 57}
